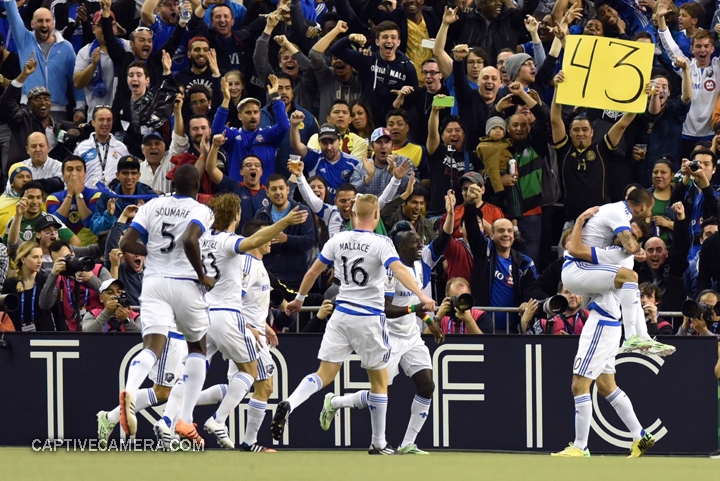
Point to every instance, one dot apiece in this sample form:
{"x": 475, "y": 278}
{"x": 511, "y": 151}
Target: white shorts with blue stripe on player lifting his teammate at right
{"x": 599, "y": 343}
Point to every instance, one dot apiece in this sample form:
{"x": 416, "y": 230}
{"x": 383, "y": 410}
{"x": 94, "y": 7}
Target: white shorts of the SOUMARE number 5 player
{"x": 164, "y": 299}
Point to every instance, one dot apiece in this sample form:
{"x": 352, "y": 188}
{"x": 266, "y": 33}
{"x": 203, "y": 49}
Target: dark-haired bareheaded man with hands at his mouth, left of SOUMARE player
{"x": 76, "y": 204}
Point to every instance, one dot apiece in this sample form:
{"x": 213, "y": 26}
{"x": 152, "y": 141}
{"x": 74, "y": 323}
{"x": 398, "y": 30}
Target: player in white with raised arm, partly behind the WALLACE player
{"x": 402, "y": 308}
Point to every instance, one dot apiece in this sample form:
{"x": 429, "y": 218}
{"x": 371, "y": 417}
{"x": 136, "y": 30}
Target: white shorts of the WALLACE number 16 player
{"x": 366, "y": 335}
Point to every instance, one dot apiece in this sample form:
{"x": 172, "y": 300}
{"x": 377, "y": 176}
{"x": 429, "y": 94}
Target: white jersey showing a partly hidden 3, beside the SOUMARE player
{"x": 222, "y": 260}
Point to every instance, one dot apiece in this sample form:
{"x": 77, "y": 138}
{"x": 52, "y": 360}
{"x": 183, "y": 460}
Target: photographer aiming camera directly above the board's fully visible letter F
{"x": 456, "y": 315}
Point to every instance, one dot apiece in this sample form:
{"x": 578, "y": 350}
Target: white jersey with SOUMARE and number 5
{"x": 162, "y": 222}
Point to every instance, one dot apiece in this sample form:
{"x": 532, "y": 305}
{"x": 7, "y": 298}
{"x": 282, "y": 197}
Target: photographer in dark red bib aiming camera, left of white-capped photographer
{"x": 75, "y": 281}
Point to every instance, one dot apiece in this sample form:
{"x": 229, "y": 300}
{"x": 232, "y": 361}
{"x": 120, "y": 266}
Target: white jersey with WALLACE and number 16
{"x": 362, "y": 258}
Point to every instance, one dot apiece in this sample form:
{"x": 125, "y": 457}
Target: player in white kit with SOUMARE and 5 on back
{"x": 167, "y": 231}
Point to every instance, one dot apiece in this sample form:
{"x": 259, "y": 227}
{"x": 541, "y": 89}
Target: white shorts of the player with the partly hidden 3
{"x": 227, "y": 333}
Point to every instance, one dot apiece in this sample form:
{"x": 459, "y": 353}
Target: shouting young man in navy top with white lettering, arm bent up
{"x": 383, "y": 72}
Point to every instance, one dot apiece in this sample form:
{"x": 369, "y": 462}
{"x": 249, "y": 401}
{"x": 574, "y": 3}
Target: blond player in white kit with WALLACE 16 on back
{"x": 357, "y": 323}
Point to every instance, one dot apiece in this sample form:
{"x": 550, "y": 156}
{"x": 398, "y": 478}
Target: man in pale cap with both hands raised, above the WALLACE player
{"x": 372, "y": 176}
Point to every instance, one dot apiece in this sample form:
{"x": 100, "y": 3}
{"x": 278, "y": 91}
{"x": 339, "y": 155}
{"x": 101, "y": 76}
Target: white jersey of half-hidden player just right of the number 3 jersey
{"x": 256, "y": 292}
